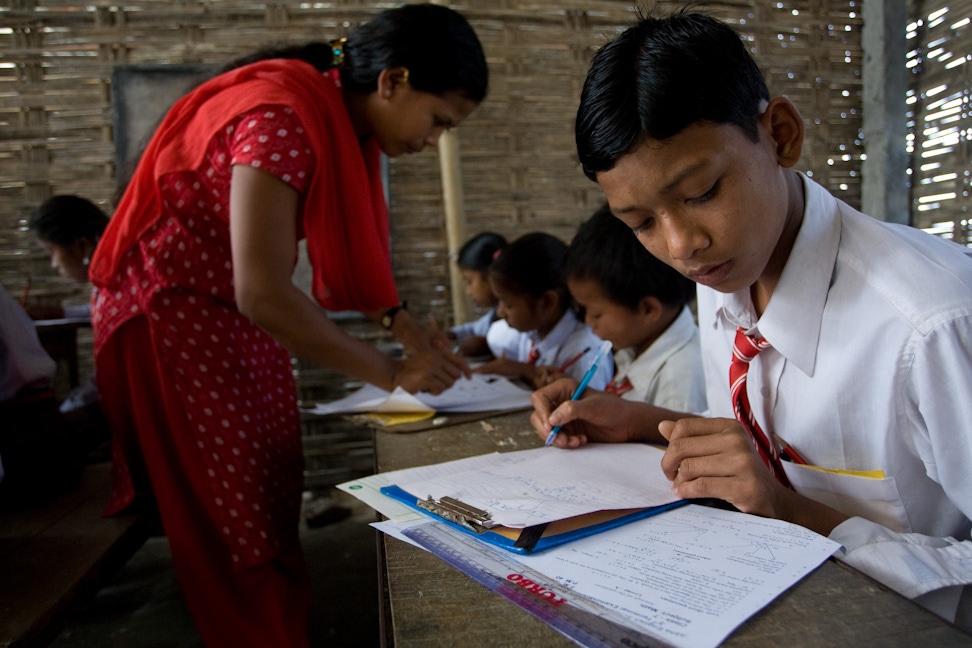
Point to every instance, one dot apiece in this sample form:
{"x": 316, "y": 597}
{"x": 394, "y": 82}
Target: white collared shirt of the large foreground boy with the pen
{"x": 870, "y": 369}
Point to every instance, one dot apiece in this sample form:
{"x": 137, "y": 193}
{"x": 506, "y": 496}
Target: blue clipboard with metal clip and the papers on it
{"x": 532, "y": 500}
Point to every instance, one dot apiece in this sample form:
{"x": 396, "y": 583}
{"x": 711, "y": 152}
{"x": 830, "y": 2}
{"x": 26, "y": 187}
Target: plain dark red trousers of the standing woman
{"x": 263, "y": 606}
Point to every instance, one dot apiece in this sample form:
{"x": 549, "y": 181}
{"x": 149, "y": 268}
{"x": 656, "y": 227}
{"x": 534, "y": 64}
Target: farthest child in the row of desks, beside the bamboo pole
{"x": 475, "y": 257}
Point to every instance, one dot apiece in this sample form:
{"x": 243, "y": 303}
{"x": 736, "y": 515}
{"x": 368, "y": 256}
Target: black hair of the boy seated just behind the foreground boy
{"x": 605, "y": 250}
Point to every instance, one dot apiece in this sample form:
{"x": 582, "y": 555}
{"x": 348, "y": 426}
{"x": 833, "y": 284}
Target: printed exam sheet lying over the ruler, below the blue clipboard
{"x": 688, "y": 576}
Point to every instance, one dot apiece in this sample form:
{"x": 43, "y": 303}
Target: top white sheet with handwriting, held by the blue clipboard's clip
{"x": 530, "y": 487}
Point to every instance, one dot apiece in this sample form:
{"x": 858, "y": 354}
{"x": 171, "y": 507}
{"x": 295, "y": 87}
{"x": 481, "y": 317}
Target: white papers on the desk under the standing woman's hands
{"x": 479, "y": 393}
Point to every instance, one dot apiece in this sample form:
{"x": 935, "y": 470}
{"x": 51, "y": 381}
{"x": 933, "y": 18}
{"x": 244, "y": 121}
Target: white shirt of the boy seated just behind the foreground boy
{"x": 668, "y": 373}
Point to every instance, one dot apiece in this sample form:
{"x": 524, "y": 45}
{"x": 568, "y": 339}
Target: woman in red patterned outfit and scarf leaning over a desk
{"x": 197, "y": 314}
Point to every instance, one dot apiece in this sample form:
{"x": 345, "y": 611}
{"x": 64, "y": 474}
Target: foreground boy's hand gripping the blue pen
{"x": 595, "y": 417}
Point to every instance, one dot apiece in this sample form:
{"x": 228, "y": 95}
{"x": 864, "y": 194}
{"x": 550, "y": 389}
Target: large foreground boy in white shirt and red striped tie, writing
{"x": 857, "y": 334}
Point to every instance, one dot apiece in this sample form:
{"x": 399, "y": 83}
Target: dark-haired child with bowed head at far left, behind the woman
{"x": 68, "y": 227}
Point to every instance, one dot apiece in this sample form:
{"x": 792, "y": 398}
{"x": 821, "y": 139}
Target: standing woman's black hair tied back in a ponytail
{"x": 436, "y": 44}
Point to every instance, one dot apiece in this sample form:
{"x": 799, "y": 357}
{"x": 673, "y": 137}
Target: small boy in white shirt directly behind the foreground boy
{"x": 641, "y": 305}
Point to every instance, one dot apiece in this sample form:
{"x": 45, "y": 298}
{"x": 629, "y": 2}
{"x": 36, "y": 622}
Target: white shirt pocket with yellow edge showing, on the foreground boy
{"x": 871, "y": 496}
